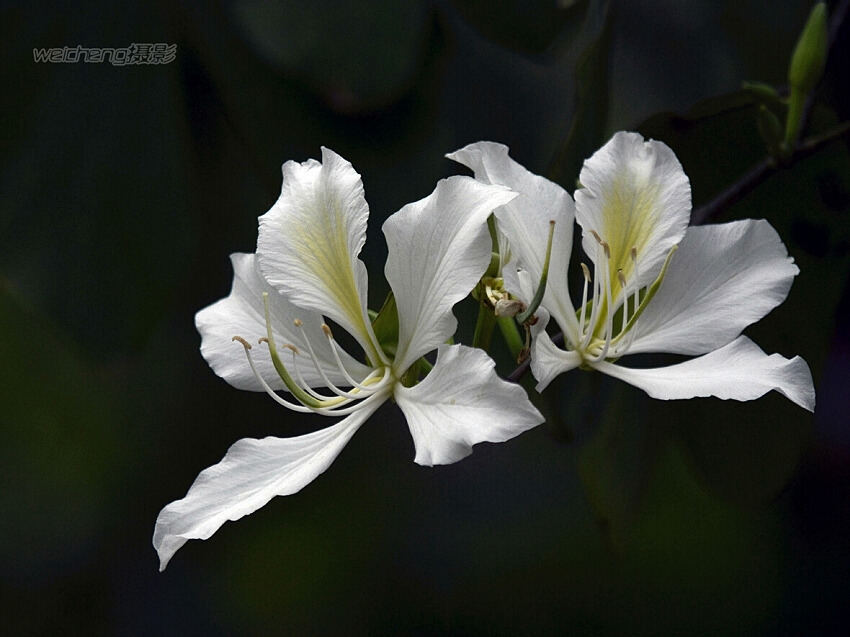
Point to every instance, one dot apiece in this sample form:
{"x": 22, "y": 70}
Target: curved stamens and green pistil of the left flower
{"x": 340, "y": 402}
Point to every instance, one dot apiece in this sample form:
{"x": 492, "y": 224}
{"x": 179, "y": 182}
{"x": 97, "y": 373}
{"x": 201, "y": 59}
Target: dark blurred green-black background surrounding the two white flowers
{"x": 124, "y": 190}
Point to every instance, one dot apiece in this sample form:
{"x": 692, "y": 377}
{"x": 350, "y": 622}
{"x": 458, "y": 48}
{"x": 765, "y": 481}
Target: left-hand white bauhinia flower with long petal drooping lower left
{"x": 306, "y": 268}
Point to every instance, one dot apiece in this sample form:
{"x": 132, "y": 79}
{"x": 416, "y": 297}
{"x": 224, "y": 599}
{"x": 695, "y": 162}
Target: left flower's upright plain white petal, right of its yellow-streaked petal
{"x": 438, "y": 249}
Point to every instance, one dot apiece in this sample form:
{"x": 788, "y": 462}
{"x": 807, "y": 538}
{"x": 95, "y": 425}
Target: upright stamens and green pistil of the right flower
{"x": 607, "y": 320}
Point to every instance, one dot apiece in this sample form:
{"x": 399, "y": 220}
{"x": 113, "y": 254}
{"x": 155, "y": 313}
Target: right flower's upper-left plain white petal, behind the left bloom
{"x": 525, "y": 221}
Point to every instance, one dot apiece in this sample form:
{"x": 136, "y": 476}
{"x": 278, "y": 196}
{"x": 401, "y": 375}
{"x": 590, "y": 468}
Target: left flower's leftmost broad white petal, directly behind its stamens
{"x": 241, "y": 314}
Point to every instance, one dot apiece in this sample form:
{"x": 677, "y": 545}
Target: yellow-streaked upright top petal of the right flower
{"x": 634, "y": 195}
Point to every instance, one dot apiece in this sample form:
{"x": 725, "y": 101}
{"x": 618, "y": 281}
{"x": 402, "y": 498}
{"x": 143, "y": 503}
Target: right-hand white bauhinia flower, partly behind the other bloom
{"x": 654, "y": 284}
